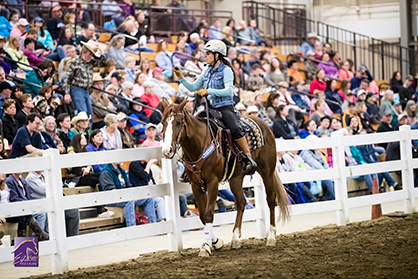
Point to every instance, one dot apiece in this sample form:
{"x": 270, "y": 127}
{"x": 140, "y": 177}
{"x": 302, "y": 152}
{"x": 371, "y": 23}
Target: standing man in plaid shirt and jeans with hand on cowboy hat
{"x": 80, "y": 76}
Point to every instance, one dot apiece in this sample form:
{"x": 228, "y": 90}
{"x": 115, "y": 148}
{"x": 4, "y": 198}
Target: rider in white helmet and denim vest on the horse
{"x": 217, "y": 83}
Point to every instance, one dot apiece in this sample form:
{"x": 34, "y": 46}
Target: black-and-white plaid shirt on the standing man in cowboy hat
{"x": 80, "y": 73}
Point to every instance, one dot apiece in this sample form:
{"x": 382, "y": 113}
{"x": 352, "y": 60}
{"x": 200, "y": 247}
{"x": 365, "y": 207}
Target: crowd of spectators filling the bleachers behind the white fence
{"x": 55, "y": 77}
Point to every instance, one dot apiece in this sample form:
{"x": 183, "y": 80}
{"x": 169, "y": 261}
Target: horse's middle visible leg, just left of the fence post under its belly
{"x": 236, "y": 187}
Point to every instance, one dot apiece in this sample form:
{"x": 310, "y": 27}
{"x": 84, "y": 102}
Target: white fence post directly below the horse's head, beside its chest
{"x": 172, "y": 205}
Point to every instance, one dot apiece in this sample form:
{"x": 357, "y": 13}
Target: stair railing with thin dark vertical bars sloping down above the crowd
{"x": 289, "y": 26}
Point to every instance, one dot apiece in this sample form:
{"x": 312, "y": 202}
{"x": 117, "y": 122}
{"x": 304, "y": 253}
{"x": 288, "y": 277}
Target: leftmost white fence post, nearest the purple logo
{"x": 56, "y": 219}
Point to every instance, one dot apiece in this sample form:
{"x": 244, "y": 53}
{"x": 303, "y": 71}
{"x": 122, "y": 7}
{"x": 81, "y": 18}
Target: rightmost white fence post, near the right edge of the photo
{"x": 408, "y": 174}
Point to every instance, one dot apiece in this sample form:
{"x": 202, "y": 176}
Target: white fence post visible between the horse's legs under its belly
{"x": 261, "y": 203}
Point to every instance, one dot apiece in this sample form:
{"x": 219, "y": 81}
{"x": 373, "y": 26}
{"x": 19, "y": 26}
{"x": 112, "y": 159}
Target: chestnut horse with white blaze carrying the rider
{"x": 182, "y": 128}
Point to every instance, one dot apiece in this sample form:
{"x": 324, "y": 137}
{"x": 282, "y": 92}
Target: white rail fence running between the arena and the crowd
{"x": 55, "y": 203}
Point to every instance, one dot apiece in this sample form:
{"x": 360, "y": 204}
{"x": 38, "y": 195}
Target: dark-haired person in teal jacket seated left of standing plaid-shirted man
{"x": 37, "y": 79}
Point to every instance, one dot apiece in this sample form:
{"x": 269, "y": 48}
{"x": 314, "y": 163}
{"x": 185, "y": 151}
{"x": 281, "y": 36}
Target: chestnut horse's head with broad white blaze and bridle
{"x": 173, "y": 126}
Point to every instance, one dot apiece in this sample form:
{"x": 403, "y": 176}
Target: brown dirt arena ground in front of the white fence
{"x": 383, "y": 248}
